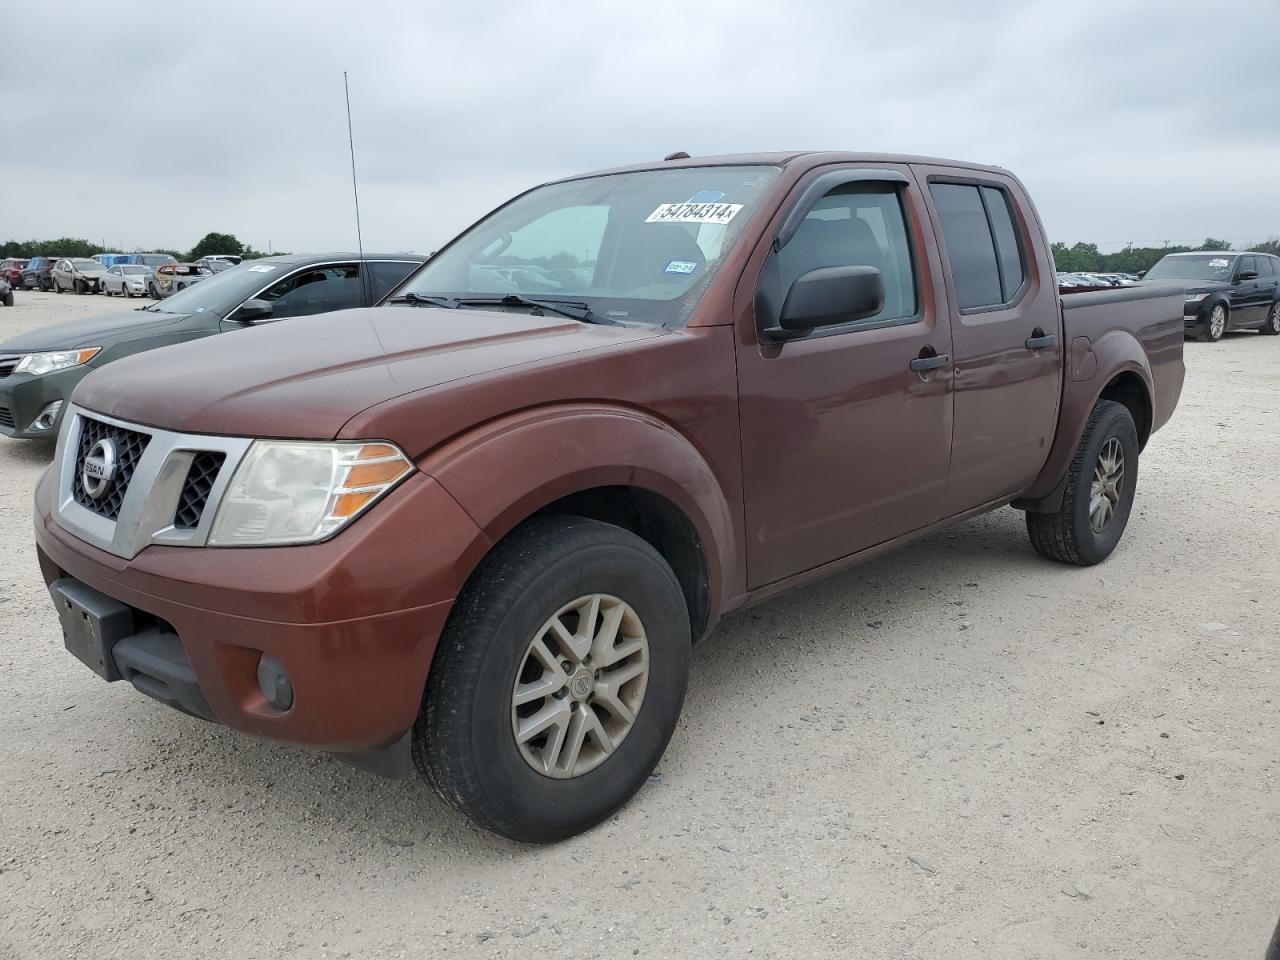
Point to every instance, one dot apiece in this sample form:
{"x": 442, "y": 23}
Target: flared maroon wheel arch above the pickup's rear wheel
{"x": 1092, "y": 367}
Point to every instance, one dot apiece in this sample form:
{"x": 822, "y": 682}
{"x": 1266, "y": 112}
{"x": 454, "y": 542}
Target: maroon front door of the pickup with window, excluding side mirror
{"x": 844, "y": 445}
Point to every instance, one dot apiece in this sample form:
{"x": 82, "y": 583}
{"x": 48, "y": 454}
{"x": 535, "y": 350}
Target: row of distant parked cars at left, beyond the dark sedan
{"x": 127, "y": 275}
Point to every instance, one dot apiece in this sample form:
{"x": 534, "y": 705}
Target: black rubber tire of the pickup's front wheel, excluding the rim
{"x": 464, "y": 740}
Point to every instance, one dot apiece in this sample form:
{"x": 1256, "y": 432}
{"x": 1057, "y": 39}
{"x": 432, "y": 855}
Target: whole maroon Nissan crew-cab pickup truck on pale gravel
{"x": 478, "y": 528}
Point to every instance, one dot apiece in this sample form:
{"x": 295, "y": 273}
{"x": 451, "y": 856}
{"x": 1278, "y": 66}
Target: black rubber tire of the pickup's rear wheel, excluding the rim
{"x": 1068, "y": 536}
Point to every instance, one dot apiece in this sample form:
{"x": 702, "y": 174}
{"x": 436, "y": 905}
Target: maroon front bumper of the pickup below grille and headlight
{"x": 353, "y": 621}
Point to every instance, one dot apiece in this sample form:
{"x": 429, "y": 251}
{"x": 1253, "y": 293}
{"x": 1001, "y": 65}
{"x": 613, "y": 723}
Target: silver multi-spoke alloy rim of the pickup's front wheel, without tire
{"x": 580, "y": 687}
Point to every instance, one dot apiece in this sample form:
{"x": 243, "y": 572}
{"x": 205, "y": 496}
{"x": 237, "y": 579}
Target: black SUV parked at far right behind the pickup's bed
{"x": 1226, "y": 291}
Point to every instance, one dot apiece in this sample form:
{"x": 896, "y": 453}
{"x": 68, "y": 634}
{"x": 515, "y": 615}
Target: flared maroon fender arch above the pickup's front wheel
{"x": 506, "y": 470}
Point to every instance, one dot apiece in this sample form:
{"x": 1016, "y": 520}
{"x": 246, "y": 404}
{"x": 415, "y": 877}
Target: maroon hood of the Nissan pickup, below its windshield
{"x": 305, "y": 378}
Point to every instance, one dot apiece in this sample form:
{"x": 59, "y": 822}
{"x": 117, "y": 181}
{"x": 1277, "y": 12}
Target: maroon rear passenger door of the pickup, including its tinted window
{"x": 1007, "y": 333}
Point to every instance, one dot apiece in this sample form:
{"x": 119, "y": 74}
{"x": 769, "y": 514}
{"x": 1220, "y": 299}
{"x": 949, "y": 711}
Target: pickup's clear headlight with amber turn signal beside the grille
{"x": 290, "y": 492}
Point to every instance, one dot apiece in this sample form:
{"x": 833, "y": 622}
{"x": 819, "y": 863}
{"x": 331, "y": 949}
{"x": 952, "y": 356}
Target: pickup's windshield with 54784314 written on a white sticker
{"x": 634, "y": 246}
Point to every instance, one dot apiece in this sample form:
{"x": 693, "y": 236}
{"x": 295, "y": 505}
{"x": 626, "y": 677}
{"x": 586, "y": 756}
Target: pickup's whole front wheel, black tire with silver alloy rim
{"x": 557, "y": 683}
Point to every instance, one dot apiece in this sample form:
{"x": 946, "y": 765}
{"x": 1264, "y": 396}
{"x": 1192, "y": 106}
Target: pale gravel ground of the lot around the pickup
{"x": 959, "y": 751}
